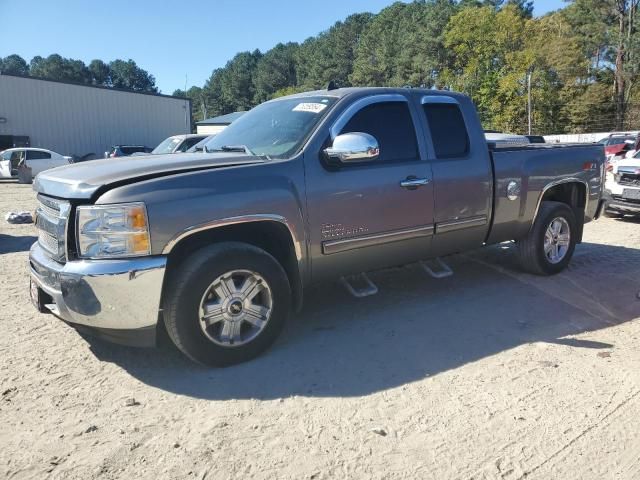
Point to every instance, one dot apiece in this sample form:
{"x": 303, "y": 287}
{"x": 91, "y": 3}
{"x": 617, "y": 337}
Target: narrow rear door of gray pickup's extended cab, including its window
{"x": 463, "y": 180}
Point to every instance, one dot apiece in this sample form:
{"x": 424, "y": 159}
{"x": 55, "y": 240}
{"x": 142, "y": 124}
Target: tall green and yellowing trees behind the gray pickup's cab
{"x": 582, "y": 62}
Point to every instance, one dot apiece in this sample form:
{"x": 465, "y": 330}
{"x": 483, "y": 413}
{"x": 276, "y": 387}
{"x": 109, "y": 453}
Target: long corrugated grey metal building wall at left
{"x": 77, "y": 120}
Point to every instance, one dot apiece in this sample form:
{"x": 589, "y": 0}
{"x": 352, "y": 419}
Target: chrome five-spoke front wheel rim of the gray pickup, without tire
{"x": 235, "y": 308}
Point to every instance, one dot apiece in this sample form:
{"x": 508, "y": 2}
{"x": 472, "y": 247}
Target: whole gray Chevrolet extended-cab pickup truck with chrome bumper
{"x": 218, "y": 248}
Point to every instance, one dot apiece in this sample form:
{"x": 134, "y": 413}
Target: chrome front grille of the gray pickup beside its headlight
{"x": 51, "y": 221}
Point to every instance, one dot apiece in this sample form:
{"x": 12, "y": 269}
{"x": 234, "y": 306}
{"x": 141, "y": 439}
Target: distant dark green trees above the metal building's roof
{"x": 123, "y": 74}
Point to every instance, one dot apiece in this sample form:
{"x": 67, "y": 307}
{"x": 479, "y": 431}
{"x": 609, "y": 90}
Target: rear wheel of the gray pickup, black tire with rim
{"x": 533, "y": 257}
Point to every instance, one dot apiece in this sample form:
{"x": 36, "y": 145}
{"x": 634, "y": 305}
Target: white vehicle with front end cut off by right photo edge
{"x": 622, "y": 188}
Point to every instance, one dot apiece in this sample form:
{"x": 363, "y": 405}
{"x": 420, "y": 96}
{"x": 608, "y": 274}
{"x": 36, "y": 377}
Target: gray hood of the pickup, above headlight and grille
{"x": 83, "y": 180}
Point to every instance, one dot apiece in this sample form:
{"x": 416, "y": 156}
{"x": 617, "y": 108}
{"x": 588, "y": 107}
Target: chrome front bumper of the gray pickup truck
{"x": 115, "y": 299}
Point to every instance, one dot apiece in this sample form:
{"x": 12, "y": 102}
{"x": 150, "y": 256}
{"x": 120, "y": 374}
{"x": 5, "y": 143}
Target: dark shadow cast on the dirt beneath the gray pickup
{"x": 414, "y": 328}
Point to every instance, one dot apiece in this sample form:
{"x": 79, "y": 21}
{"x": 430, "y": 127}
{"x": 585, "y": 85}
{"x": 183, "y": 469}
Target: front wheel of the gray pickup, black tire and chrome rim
{"x": 203, "y": 285}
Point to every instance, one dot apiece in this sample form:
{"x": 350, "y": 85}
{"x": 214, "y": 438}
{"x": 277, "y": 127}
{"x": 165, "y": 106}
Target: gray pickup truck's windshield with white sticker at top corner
{"x": 275, "y": 129}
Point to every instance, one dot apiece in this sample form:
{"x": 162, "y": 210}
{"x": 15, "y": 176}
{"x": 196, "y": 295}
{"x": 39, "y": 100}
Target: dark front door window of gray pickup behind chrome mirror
{"x": 391, "y": 125}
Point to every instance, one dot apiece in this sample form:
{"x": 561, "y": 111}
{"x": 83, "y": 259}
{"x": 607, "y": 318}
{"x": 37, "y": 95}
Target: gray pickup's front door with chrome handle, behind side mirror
{"x": 361, "y": 217}
